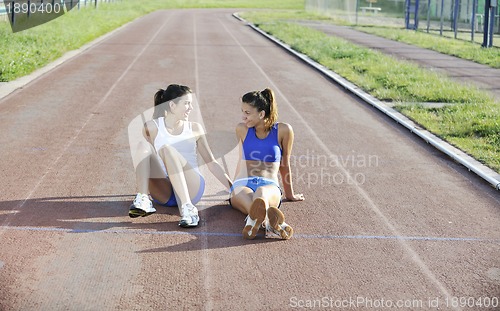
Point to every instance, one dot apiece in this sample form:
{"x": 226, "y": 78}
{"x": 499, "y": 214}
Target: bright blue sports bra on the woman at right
{"x": 266, "y": 150}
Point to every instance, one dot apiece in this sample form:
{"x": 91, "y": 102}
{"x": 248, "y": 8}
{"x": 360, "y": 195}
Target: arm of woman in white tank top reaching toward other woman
{"x": 206, "y": 154}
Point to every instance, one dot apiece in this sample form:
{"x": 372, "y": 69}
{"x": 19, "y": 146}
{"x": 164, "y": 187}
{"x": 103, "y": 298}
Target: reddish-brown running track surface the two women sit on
{"x": 386, "y": 216}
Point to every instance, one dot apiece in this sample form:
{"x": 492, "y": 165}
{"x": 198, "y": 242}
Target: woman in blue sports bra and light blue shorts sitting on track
{"x": 265, "y": 150}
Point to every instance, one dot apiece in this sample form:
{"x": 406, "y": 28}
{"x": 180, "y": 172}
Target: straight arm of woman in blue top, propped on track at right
{"x": 287, "y": 136}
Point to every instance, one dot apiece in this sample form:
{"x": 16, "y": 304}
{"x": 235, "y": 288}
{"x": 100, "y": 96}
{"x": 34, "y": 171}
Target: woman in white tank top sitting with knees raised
{"x": 169, "y": 170}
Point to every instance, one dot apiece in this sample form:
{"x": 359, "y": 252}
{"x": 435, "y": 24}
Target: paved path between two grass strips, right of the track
{"x": 465, "y": 71}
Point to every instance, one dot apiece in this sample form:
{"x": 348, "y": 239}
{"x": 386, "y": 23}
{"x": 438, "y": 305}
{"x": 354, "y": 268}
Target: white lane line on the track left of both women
{"x": 89, "y": 118}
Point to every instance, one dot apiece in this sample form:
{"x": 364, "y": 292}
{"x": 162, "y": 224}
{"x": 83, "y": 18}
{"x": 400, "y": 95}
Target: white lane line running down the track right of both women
{"x": 413, "y": 254}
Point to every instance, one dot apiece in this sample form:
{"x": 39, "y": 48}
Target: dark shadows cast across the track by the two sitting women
{"x": 220, "y": 225}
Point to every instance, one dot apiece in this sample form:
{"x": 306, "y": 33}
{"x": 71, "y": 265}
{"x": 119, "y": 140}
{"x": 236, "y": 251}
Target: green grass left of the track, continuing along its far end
{"x": 23, "y": 52}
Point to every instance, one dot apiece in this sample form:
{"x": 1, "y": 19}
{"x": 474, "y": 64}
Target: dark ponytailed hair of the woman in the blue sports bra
{"x": 263, "y": 101}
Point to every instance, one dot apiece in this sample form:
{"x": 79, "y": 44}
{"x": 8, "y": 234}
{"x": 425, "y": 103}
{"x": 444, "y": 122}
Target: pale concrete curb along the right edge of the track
{"x": 457, "y": 155}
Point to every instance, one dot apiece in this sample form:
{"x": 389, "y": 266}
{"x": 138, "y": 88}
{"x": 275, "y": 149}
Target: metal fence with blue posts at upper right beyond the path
{"x": 460, "y": 19}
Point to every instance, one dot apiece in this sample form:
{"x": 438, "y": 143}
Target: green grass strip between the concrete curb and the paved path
{"x": 471, "y": 121}
